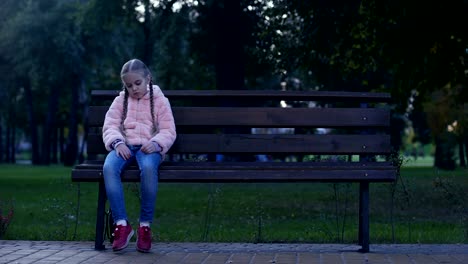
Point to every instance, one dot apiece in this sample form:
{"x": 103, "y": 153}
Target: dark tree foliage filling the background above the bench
{"x": 53, "y": 53}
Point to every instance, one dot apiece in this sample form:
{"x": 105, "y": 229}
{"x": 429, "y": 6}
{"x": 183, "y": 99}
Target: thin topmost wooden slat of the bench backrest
{"x": 262, "y": 95}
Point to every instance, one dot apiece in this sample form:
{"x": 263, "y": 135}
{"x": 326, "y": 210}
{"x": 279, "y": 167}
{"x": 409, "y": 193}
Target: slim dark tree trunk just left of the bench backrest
{"x": 71, "y": 150}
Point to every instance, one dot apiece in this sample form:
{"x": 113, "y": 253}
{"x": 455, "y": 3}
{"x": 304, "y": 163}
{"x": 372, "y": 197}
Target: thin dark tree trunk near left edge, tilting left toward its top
{"x": 32, "y": 123}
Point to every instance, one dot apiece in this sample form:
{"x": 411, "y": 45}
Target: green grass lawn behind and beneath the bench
{"x": 429, "y": 207}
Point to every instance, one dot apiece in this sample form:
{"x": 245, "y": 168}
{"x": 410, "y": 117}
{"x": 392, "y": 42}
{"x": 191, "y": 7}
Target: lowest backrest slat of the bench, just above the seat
{"x": 261, "y": 143}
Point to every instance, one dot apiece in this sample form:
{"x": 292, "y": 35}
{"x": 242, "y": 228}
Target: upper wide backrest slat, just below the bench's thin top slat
{"x": 268, "y": 117}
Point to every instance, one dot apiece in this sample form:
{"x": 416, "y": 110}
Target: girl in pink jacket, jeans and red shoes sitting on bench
{"x": 139, "y": 125}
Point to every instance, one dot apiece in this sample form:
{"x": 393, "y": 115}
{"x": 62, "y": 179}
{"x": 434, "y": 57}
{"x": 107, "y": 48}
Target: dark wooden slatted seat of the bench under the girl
{"x": 219, "y": 172}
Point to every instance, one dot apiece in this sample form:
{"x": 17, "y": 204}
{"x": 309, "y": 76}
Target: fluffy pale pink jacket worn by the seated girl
{"x": 138, "y": 127}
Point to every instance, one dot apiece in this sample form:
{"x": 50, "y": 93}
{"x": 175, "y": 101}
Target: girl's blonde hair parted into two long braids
{"x": 136, "y": 65}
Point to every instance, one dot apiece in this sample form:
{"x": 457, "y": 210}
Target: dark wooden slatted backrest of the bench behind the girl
{"x": 221, "y": 122}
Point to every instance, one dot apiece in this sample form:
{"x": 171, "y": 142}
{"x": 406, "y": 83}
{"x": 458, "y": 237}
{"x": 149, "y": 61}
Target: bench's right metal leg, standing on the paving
{"x": 364, "y": 216}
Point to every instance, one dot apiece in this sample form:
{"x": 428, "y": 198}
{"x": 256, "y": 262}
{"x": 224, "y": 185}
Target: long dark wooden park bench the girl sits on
{"x": 220, "y": 122}
